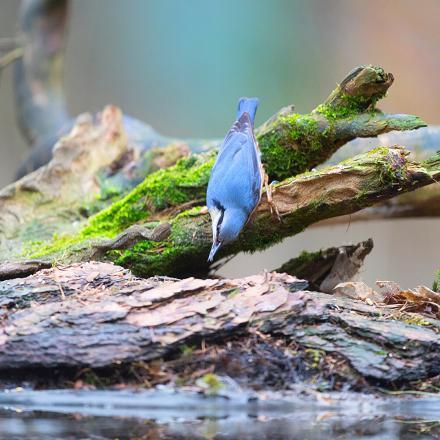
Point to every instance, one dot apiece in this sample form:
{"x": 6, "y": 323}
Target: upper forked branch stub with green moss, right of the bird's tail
{"x": 292, "y": 143}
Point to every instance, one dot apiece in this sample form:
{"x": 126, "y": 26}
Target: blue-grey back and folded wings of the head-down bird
{"x": 236, "y": 175}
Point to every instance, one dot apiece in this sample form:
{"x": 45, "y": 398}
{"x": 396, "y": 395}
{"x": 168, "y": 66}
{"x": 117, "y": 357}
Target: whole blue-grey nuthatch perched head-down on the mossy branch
{"x": 236, "y": 181}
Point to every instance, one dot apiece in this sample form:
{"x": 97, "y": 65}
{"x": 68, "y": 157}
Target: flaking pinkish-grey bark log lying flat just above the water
{"x": 99, "y": 315}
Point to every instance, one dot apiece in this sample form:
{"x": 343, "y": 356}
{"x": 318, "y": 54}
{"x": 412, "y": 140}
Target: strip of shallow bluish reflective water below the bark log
{"x": 167, "y": 415}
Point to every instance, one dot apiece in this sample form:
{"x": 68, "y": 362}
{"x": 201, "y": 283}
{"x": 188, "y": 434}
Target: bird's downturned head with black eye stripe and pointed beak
{"x": 227, "y": 224}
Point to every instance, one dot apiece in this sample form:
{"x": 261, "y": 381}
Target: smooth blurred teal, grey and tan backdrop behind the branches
{"x": 181, "y": 65}
